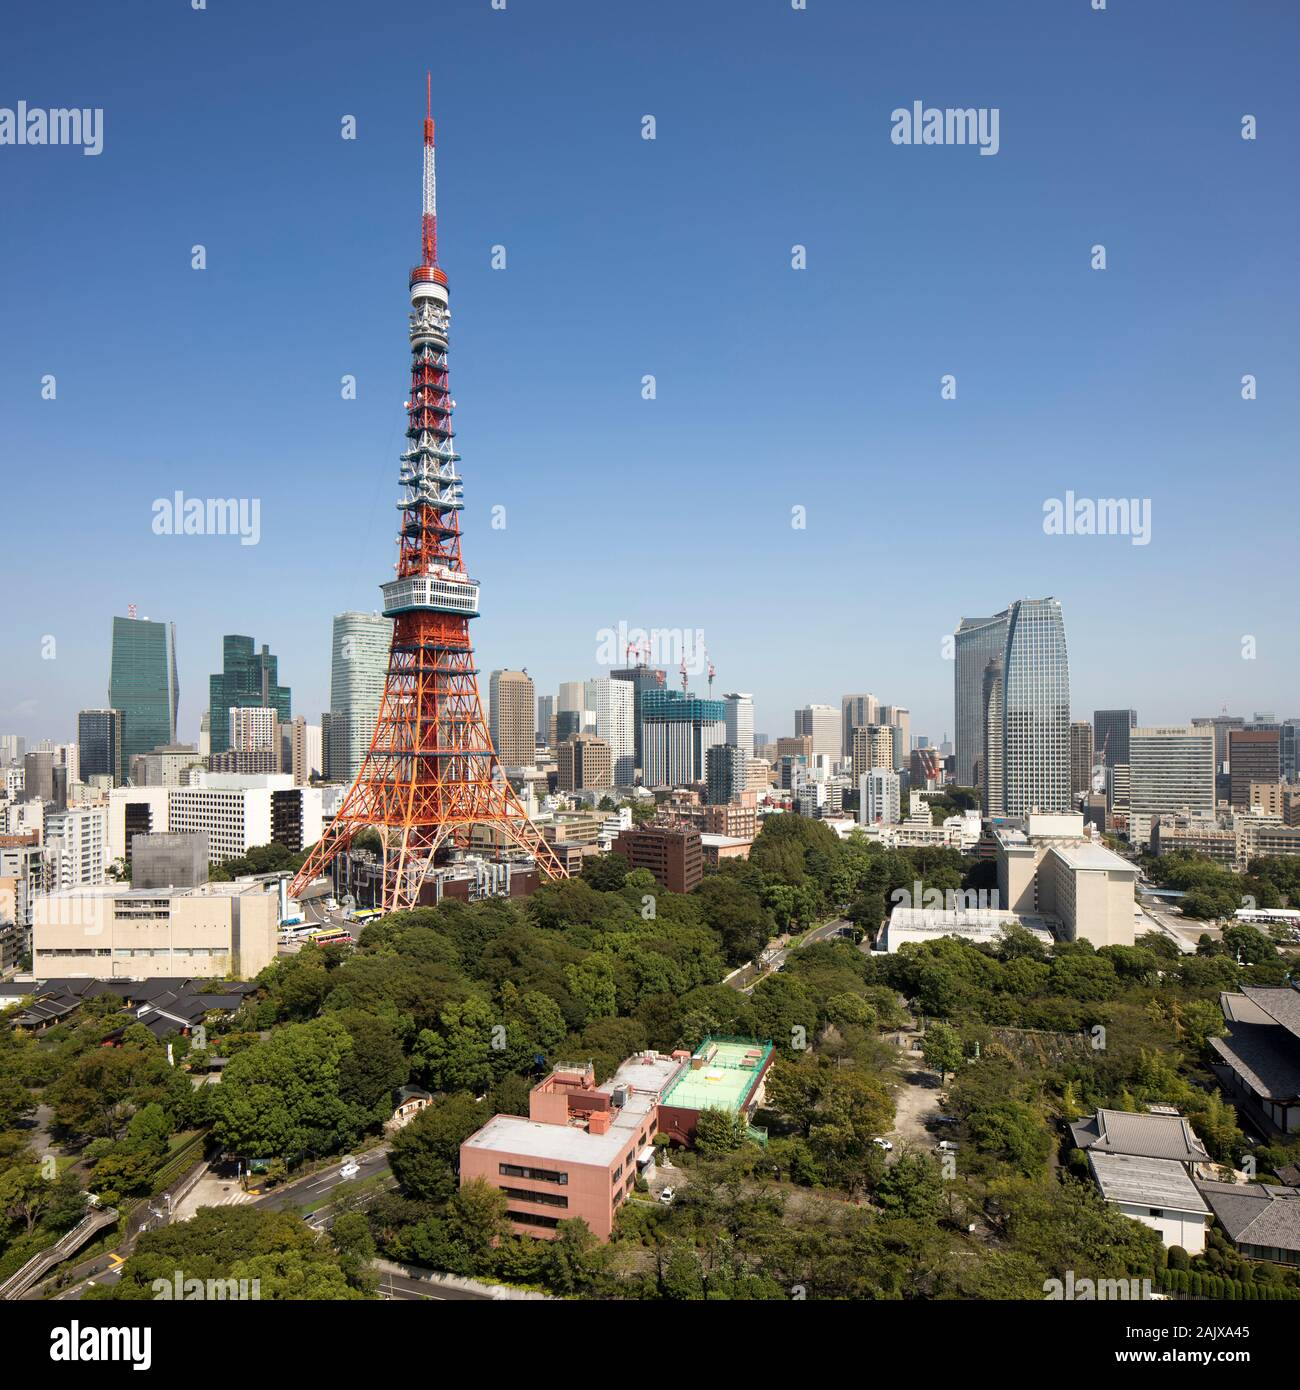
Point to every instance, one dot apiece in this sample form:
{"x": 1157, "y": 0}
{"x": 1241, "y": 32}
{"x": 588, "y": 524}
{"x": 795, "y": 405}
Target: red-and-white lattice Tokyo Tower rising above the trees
{"x": 432, "y": 774}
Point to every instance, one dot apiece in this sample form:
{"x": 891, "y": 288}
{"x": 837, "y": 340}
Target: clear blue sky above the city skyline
{"x": 777, "y": 389}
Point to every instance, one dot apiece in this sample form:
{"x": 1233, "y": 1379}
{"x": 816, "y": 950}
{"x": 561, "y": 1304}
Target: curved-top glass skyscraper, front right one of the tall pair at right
{"x": 1037, "y": 710}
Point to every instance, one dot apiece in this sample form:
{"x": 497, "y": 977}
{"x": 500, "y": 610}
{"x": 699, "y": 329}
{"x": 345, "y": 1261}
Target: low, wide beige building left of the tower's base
{"x": 111, "y": 932}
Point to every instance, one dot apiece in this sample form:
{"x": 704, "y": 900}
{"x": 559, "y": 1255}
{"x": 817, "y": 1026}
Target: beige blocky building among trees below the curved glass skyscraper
{"x": 1055, "y": 871}
